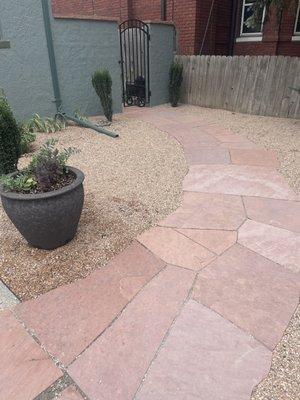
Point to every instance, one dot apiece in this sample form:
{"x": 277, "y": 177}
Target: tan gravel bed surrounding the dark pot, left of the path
{"x": 131, "y": 183}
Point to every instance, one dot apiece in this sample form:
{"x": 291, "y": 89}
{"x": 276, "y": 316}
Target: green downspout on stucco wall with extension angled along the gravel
{"x": 55, "y": 80}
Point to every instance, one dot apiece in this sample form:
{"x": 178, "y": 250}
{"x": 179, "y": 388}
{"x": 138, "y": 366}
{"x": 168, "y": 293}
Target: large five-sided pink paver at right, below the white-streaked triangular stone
{"x": 251, "y": 291}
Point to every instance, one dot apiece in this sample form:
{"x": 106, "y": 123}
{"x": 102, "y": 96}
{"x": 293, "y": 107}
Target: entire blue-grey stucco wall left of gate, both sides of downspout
{"x": 80, "y": 46}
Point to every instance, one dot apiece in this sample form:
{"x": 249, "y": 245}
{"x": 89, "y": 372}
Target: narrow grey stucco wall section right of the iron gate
{"x": 161, "y": 56}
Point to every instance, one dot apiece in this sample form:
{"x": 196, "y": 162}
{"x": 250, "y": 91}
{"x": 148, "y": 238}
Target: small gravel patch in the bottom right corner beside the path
{"x": 283, "y": 381}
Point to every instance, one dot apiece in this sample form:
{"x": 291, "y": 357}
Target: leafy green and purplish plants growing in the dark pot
{"x": 45, "y": 171}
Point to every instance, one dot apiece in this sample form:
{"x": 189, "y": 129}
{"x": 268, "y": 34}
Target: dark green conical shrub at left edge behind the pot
{"x": 10, "y": 137}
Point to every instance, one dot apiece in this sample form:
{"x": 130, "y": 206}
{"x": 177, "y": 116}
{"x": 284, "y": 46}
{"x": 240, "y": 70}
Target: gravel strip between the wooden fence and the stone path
{"x": 279, "y": 134}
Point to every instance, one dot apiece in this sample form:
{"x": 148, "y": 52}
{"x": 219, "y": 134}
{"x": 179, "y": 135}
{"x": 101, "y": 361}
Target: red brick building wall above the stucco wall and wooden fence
{"x": 191, "y": 18}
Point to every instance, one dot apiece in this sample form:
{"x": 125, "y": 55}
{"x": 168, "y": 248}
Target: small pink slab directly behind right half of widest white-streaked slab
{"x": 263, "y": 158}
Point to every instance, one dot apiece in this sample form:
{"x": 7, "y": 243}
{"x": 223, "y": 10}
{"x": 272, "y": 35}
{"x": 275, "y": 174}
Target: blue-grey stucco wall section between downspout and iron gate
{"x": 81, "y": 47}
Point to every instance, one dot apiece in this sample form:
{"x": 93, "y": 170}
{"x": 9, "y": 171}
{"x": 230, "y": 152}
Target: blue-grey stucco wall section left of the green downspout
{"x": 24, "y": 67}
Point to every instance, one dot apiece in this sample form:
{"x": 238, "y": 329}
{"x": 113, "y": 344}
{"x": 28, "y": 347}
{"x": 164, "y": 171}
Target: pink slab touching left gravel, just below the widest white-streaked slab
{"x": 207, "y": 211}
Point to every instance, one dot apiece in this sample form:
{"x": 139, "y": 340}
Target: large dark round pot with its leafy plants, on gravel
{"x": 44, "y": 200}
